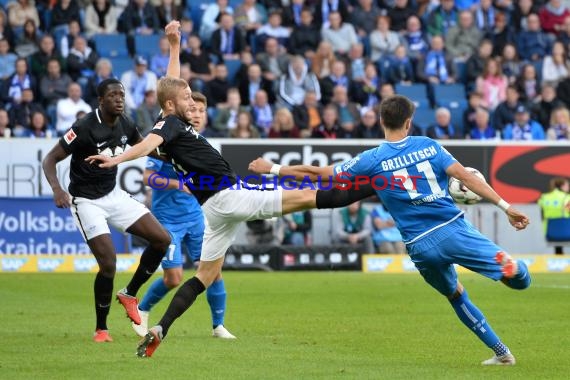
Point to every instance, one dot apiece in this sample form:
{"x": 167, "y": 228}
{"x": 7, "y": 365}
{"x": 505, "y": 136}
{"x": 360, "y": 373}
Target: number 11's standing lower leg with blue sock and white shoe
{"x": 474, "y": 319}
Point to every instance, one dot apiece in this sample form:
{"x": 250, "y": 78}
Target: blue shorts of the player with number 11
{"x": 456, "y": 243}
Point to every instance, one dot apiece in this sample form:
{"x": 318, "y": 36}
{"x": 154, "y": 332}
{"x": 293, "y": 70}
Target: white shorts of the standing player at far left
{"x": 117, "y": 208}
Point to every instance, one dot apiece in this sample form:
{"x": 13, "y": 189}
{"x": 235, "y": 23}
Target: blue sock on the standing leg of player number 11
{"x": 472, "y": 317}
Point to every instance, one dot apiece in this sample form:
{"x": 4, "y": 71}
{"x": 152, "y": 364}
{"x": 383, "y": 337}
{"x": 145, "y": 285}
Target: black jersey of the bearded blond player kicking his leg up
{"x": 201, "y": 166}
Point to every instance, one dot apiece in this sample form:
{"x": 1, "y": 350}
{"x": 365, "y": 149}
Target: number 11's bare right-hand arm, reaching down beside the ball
{"x": 481, "y": 188}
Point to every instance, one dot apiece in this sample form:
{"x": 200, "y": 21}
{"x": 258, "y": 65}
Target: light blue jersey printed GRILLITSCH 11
{"x": 409, "y": 177}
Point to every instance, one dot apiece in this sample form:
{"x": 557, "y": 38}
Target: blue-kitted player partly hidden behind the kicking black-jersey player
{"x": 181, "y": 215}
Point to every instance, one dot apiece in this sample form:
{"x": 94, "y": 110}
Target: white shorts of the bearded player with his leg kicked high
{"x": 227, "y": 209}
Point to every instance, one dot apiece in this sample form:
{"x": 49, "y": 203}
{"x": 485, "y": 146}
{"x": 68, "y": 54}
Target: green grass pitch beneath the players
{"x": 303, "y": 325}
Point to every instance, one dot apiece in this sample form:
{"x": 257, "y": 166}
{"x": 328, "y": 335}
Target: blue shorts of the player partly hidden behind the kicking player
{"x": 191, "y": 234}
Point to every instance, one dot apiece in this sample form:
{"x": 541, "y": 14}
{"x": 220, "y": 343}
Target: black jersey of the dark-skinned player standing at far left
{"x": 89, "y": 136}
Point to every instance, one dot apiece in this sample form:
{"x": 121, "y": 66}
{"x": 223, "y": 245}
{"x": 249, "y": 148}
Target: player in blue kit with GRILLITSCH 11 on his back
{"x": 410, "y": 176}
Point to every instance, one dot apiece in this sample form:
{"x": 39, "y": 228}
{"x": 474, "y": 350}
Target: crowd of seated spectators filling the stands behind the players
{"x": 476, "y": 69}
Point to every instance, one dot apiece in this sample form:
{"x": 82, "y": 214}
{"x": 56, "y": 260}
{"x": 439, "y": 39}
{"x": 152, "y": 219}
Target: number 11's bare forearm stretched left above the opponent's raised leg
{"x": 300, "y": 172}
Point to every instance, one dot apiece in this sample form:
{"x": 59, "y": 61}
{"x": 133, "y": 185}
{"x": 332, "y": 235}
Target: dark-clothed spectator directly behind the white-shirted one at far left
{"x": 54, "y": 86}
